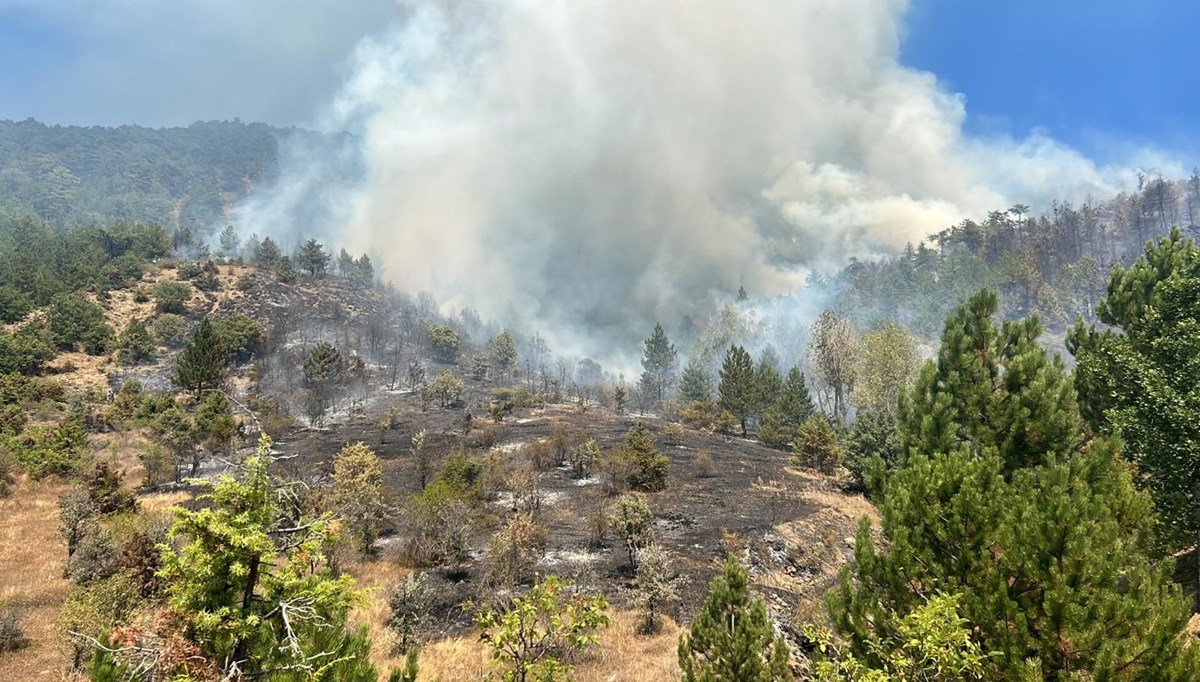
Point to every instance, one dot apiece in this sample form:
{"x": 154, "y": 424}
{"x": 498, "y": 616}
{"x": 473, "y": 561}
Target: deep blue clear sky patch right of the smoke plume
{"x": 1099, "y": 75}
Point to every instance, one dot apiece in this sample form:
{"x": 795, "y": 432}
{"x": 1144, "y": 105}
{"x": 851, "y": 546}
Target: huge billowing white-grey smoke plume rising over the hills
{"x": 589, "y": 167}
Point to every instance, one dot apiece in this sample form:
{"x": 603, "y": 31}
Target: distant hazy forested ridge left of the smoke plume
{"x": 181, "y": 177}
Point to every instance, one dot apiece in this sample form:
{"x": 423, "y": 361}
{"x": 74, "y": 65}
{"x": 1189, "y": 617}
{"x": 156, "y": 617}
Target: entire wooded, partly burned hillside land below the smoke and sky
{"x": 226, "y": 457}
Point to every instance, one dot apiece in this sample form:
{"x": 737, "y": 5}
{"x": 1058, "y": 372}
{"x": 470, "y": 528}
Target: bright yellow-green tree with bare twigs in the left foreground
{"x": 249, "y": 579}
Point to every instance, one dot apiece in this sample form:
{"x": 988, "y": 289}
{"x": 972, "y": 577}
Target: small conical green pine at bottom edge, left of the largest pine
{"x": 733, "y": 638}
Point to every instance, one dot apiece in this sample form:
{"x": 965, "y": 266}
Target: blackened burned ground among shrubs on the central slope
{"x": 794, "y": 529}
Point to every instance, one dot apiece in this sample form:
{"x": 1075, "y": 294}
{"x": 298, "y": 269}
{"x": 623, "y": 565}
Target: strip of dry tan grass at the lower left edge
{"x": 32, "y": 557}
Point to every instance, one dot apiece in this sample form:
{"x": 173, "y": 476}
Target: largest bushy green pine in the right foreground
{"x": 1004, "y": 500}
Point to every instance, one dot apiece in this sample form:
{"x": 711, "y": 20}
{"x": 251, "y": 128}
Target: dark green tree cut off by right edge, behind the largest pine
{"x": 1142, "y": 378}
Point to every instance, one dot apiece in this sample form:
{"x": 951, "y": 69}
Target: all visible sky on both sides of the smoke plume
{"x": 1099, "y": 75}
